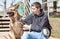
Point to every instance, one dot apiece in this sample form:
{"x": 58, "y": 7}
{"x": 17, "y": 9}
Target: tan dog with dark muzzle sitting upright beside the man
{"x": 15, "y": 25}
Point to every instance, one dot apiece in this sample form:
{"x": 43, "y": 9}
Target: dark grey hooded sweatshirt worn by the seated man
{"x": 38, "y": 21}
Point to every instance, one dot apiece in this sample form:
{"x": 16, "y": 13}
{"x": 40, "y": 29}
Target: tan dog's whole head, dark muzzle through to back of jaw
{"x": 13, "y": 13}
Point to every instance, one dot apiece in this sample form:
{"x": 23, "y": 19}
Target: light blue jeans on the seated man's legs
{"x": 33, "y": 35}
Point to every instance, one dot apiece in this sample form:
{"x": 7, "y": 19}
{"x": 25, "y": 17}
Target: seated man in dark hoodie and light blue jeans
{"x": 38, "y": 20}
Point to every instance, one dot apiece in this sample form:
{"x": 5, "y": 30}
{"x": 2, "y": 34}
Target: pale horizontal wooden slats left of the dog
{"x": 4, "y": 24}
